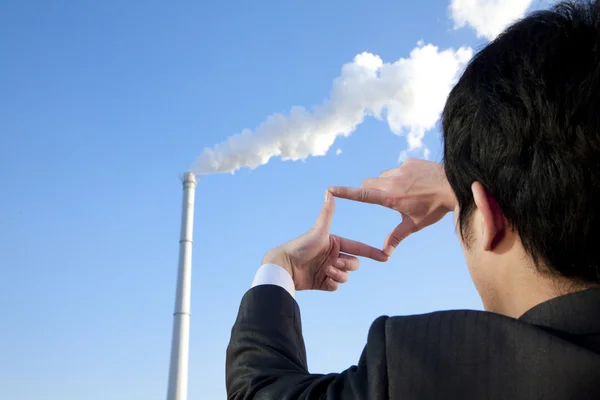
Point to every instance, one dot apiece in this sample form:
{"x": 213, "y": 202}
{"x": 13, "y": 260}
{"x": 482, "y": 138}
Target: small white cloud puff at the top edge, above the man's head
{"x": 488, "y": 17}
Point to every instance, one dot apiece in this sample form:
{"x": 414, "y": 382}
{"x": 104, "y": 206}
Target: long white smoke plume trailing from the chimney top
{"x": 409, "y": 93}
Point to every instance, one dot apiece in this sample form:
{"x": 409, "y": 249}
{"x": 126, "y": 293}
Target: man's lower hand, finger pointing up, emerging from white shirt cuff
{"x": 318, "y": 260}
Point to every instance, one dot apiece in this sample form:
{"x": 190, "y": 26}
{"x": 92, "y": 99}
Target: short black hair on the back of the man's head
{"x": 524, "y": 121}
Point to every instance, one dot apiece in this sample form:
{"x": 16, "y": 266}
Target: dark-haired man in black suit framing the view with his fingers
{"x": 522, "y": 175}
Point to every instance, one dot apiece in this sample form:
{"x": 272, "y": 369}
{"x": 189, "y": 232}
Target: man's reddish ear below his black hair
{"x": 491, "y": 214}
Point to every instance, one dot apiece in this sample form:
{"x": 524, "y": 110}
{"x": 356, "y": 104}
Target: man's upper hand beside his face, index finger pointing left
{"x": 417, "y": 189}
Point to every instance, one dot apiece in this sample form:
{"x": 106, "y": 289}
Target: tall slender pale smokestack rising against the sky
{"x": 178, "y": 370}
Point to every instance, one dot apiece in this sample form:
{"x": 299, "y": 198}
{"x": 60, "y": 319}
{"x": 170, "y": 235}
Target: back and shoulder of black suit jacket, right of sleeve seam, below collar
{"x": 482, "y": 355}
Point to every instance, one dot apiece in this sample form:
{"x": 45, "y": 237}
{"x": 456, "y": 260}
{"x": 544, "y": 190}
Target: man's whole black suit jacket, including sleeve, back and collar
{"x": 551, "y": 352}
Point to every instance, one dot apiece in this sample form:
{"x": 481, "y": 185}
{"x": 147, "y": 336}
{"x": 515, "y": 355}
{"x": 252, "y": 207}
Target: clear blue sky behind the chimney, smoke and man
{"x": 104, "y": 104}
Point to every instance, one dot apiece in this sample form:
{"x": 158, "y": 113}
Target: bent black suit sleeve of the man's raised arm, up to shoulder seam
{"x": 266, "y": 356}
